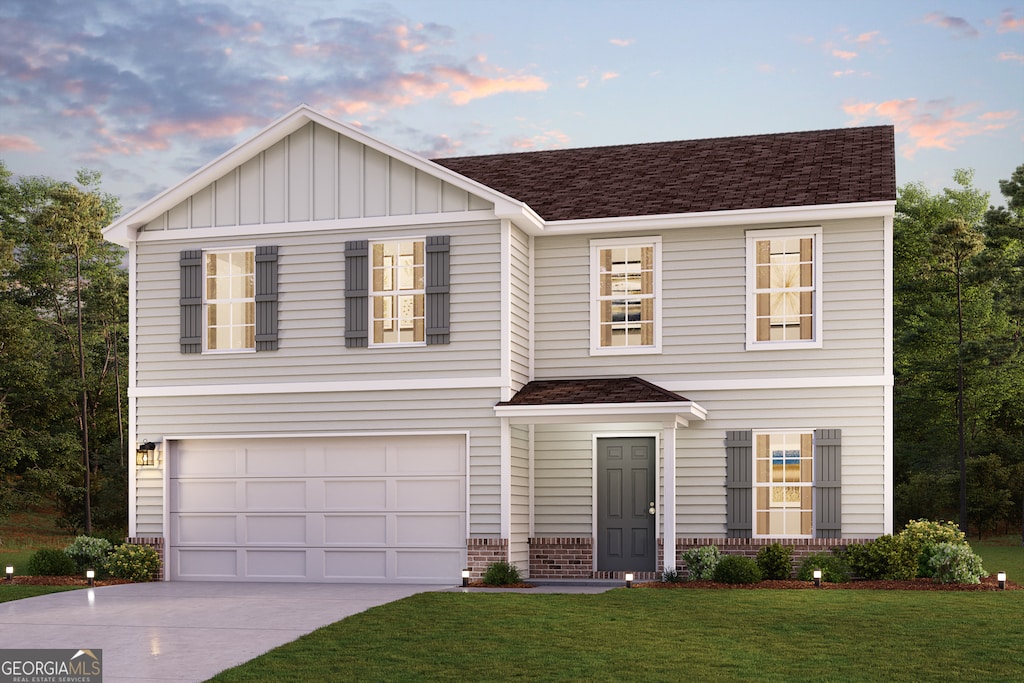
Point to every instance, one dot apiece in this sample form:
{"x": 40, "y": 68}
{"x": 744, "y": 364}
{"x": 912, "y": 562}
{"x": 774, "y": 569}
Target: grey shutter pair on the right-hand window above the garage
{"x": 437, "y": 292}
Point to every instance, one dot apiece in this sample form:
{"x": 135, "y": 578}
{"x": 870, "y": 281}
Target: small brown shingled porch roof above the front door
{"x": 610, "y": 391}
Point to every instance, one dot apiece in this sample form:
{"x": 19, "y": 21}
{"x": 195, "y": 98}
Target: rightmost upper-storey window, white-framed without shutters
{"x": 784, "y": 275}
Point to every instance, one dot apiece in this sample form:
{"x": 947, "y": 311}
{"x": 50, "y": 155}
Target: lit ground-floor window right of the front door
{"x": 784, "y": 484}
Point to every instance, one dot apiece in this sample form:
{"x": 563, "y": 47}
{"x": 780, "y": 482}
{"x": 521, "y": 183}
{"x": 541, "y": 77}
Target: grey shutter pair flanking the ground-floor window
{"x": 740, "y": 484}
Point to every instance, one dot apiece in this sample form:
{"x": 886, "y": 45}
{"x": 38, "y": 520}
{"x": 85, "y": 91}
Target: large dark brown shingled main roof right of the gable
{"x": 846, "y": 165}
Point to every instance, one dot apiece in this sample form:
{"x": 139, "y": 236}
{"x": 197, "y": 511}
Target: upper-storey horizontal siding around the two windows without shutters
{"x": 704, "y": 298}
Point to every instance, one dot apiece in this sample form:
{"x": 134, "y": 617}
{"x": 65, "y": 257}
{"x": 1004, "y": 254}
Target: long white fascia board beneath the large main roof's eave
{"x": 767, "y": 217}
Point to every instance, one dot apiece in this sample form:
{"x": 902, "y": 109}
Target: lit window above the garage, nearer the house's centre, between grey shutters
{"x": 399, "y": 292}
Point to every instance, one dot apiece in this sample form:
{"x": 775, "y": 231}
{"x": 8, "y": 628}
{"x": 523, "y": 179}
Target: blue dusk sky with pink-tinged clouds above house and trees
{"x": 148, "y": 92}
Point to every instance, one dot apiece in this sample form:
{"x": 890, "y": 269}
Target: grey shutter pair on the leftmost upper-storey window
{"x": 191, "y": 265}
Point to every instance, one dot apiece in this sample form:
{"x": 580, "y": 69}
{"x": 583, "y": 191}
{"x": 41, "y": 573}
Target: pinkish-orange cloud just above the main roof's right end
{"x": 931, "y": 125}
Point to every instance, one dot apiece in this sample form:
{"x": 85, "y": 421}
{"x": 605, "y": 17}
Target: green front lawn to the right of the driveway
{"x": 665, "y": 635}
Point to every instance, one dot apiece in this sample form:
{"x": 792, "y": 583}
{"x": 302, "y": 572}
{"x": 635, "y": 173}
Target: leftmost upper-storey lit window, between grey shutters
{"x": 230, "y": 301}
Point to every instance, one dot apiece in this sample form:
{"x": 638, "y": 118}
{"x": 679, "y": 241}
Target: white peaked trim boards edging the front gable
{"x": 125, "y": 229}
